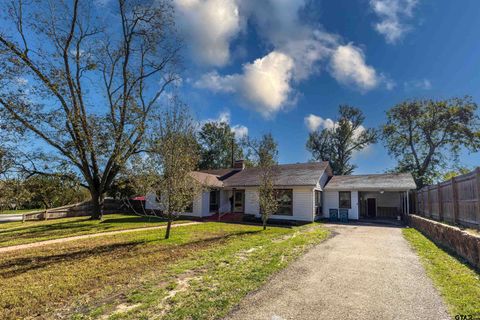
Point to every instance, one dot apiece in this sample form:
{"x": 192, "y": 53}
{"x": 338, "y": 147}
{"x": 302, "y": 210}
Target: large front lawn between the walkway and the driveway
{"x": 201, "y": 272}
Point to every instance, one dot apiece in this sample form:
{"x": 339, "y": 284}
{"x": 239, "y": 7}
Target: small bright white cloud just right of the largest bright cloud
{"x": 348, "y": 67}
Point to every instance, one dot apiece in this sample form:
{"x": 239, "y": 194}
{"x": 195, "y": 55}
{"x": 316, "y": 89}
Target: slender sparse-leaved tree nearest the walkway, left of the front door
{"x": 172, "y": 151}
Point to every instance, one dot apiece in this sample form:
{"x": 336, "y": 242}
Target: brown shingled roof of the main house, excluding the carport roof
{"x": 300, "y": 174}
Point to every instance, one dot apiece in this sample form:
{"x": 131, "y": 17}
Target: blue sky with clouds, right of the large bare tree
{"x": 285, "y": 66}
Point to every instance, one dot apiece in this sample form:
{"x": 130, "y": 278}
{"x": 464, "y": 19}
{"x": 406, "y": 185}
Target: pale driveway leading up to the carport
{"x": 362, "y": 272}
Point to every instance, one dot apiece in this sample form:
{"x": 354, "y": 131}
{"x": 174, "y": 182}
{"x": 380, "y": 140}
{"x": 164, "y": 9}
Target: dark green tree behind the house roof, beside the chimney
{"x": 217, "y": 142}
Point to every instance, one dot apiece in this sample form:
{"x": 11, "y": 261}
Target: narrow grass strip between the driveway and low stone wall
{"x": 458, "y": 283}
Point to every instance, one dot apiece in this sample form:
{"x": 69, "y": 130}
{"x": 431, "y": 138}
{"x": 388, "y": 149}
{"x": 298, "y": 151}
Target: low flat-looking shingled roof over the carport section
{"x": 371, "y": 182}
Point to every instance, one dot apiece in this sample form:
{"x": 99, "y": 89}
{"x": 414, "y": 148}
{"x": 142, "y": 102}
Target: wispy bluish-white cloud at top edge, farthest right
{"x": 392, "y": 15}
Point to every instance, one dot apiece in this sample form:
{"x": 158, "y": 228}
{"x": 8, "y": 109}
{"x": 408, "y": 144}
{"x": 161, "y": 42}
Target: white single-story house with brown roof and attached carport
{"x": 305, "y": 192}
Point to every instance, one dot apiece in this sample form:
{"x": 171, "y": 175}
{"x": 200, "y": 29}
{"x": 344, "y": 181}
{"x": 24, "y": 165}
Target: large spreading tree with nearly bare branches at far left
{"x": 86, "y": 85}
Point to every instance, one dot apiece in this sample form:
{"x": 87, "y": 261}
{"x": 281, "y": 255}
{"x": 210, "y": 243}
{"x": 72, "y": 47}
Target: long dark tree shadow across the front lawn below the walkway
{"x": 20, "y": 265}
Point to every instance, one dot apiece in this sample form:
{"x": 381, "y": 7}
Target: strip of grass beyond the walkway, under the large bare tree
{"x": 13, "y": 233}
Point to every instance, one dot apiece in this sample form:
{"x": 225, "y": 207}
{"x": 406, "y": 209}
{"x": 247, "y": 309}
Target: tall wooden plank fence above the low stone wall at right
{"x": 456, "y": 201}
